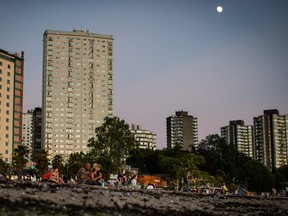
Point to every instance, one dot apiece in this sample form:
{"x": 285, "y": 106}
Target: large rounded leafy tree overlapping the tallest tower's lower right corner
{"x": 113, "y": 142}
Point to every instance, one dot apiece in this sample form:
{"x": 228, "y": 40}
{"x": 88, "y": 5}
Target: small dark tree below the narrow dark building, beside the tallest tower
{"x": 41, "y": 160}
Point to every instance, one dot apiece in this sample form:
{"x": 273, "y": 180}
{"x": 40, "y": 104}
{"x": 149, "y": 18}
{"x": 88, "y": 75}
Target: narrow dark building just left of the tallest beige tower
{"x": 37, "y": 128}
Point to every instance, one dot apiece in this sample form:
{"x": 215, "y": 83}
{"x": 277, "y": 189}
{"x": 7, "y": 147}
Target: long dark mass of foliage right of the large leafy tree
{"x": 213, "y": 162}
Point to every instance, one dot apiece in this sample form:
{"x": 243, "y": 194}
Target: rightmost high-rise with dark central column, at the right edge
{"x": 271, "y": 139}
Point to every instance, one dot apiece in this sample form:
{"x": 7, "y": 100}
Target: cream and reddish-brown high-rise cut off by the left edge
{"x": 11, "y": 102}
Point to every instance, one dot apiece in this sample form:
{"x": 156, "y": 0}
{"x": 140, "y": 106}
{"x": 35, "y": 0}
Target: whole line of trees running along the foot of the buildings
{"x": 213, "y": 162}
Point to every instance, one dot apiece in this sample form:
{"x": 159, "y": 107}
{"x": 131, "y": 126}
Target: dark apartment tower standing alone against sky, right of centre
{"x": 182, "y": 129}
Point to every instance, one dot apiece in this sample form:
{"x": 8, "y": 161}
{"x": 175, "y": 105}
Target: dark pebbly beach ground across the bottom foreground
{"x": 71, "y": 199}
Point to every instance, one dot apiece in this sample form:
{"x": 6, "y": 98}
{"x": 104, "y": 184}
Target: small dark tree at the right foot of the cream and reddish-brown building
{"x": 19, "y": 159}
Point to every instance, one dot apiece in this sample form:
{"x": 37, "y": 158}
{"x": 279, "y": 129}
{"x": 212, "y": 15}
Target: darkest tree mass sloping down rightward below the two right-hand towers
{"x": 224, "y": 161}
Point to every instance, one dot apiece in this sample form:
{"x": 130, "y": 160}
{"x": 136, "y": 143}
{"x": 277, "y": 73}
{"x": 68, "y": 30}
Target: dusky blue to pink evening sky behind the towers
{"x": 169, "y": 55}
